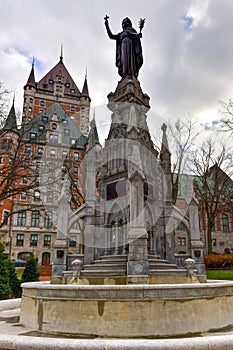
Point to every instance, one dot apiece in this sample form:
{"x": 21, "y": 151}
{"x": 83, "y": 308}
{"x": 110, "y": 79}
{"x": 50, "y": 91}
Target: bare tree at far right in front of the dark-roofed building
{"x": 212, "y": 183}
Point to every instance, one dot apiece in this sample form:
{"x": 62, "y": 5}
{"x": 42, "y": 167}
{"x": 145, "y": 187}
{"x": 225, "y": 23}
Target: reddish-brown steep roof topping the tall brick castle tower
{"x": 59, "y": 70}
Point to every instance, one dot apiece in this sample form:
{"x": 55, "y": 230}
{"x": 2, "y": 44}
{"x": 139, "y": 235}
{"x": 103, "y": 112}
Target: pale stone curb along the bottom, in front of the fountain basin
{"x": 220, "y": 342}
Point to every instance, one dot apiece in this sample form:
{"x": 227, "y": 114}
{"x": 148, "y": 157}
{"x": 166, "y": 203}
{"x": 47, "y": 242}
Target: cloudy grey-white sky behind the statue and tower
{"x": 187, "y": 48}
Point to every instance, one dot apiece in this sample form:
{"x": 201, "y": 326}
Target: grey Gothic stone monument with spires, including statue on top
{"x": 129, "y": 220}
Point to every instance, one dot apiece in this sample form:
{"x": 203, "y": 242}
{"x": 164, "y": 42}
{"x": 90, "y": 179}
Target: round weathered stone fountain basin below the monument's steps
{"x": 130, "y": 311}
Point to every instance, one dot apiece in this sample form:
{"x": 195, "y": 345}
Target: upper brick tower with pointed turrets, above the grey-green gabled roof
{"x": 57, "y": 86}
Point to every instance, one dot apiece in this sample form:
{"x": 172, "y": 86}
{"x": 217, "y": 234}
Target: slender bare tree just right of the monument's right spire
{"x": 183, "y": 134}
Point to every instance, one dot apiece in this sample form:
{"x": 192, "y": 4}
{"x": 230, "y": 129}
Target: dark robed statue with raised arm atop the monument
{"x": 128, "y": 48}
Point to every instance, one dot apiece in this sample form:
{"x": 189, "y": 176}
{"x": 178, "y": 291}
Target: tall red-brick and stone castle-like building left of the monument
{"x": 51, "y": 143}
